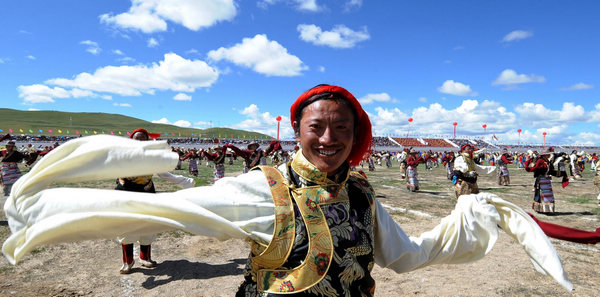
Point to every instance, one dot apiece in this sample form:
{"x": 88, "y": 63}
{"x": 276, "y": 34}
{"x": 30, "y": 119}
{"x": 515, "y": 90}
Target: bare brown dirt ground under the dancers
{"x": 200, "y": 266}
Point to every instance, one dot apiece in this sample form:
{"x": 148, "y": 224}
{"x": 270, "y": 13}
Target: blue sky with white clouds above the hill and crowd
{"x": 529, "y": 65}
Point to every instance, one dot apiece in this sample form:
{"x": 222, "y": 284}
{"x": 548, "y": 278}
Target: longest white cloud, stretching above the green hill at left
{"x": 173, "y": 73}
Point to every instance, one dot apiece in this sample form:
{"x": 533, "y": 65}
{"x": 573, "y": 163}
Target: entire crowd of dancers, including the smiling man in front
{"x": 311, "y": 219}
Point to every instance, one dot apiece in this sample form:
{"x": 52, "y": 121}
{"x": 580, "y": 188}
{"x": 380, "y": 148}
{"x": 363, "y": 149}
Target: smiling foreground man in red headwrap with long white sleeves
{"x": 315, "y": 228}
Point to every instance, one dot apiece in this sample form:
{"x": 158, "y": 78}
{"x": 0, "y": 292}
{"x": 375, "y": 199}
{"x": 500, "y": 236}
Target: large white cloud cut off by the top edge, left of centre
{"x": 151, "y": 16}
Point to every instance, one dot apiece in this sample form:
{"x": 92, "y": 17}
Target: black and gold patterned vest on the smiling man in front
{"x": 323, "y": 239}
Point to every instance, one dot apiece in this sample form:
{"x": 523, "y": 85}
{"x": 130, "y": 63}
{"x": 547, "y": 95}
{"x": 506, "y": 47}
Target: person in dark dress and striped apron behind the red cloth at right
{"x": 543, "y": 197}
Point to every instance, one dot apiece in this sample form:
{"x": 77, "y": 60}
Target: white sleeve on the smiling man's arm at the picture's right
{"x": 466, "y": 235}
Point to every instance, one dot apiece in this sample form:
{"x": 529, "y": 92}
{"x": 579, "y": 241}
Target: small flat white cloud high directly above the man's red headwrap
{"x": 339, "y": 37}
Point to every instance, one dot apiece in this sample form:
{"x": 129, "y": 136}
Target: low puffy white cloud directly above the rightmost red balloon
{"x": 537, "y": 114}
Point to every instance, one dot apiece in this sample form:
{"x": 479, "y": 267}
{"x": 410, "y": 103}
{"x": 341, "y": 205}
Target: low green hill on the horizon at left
{"x": 58, "y": 123}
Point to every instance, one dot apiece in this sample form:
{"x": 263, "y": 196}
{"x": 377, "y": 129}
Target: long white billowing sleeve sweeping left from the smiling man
{"x": 239, "y": 207}
